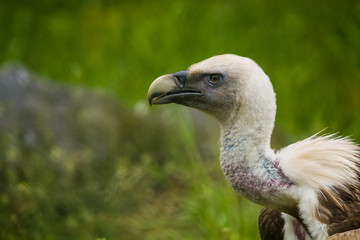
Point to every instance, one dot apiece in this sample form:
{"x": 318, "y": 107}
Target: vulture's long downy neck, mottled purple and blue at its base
{"x": 249, "y": 163}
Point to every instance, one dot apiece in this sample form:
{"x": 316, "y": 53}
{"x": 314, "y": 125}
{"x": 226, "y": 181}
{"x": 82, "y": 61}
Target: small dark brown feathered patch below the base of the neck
{"x": 271, "y": 224}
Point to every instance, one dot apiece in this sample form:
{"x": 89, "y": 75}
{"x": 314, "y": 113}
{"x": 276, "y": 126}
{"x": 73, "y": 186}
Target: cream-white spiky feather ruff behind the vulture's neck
{"x": 321, "y": 162}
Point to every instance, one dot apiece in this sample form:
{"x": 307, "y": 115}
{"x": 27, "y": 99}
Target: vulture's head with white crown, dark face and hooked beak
{"x": 223, "y": 86}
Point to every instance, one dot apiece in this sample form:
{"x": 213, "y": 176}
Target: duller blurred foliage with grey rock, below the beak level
{"x": 77, "y": 164}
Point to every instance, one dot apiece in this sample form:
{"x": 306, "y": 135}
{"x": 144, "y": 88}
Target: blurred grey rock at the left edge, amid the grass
{"x": 37, "y": 113}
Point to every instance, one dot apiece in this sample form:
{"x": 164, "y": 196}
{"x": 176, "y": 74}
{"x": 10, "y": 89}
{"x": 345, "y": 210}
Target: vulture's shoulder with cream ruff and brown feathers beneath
{"x": 328, "y": 167}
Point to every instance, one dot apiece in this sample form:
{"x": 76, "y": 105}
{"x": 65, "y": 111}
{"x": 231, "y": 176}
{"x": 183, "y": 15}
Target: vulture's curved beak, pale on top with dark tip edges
{"x": 170, "y": 88}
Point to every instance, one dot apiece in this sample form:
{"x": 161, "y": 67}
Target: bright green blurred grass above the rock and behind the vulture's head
{"x": 309, "y": 49}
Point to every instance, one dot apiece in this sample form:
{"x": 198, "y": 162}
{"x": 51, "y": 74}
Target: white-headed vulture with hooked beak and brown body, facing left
{"x": 309, "y": 189}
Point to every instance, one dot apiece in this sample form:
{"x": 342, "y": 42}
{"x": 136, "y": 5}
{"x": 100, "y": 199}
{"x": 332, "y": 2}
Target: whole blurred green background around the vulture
{"x": 141, "y": 173}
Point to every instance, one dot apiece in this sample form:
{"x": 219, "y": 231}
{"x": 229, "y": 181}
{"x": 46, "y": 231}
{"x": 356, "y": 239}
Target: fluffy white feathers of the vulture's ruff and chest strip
{"x": 315, "y": 164}
